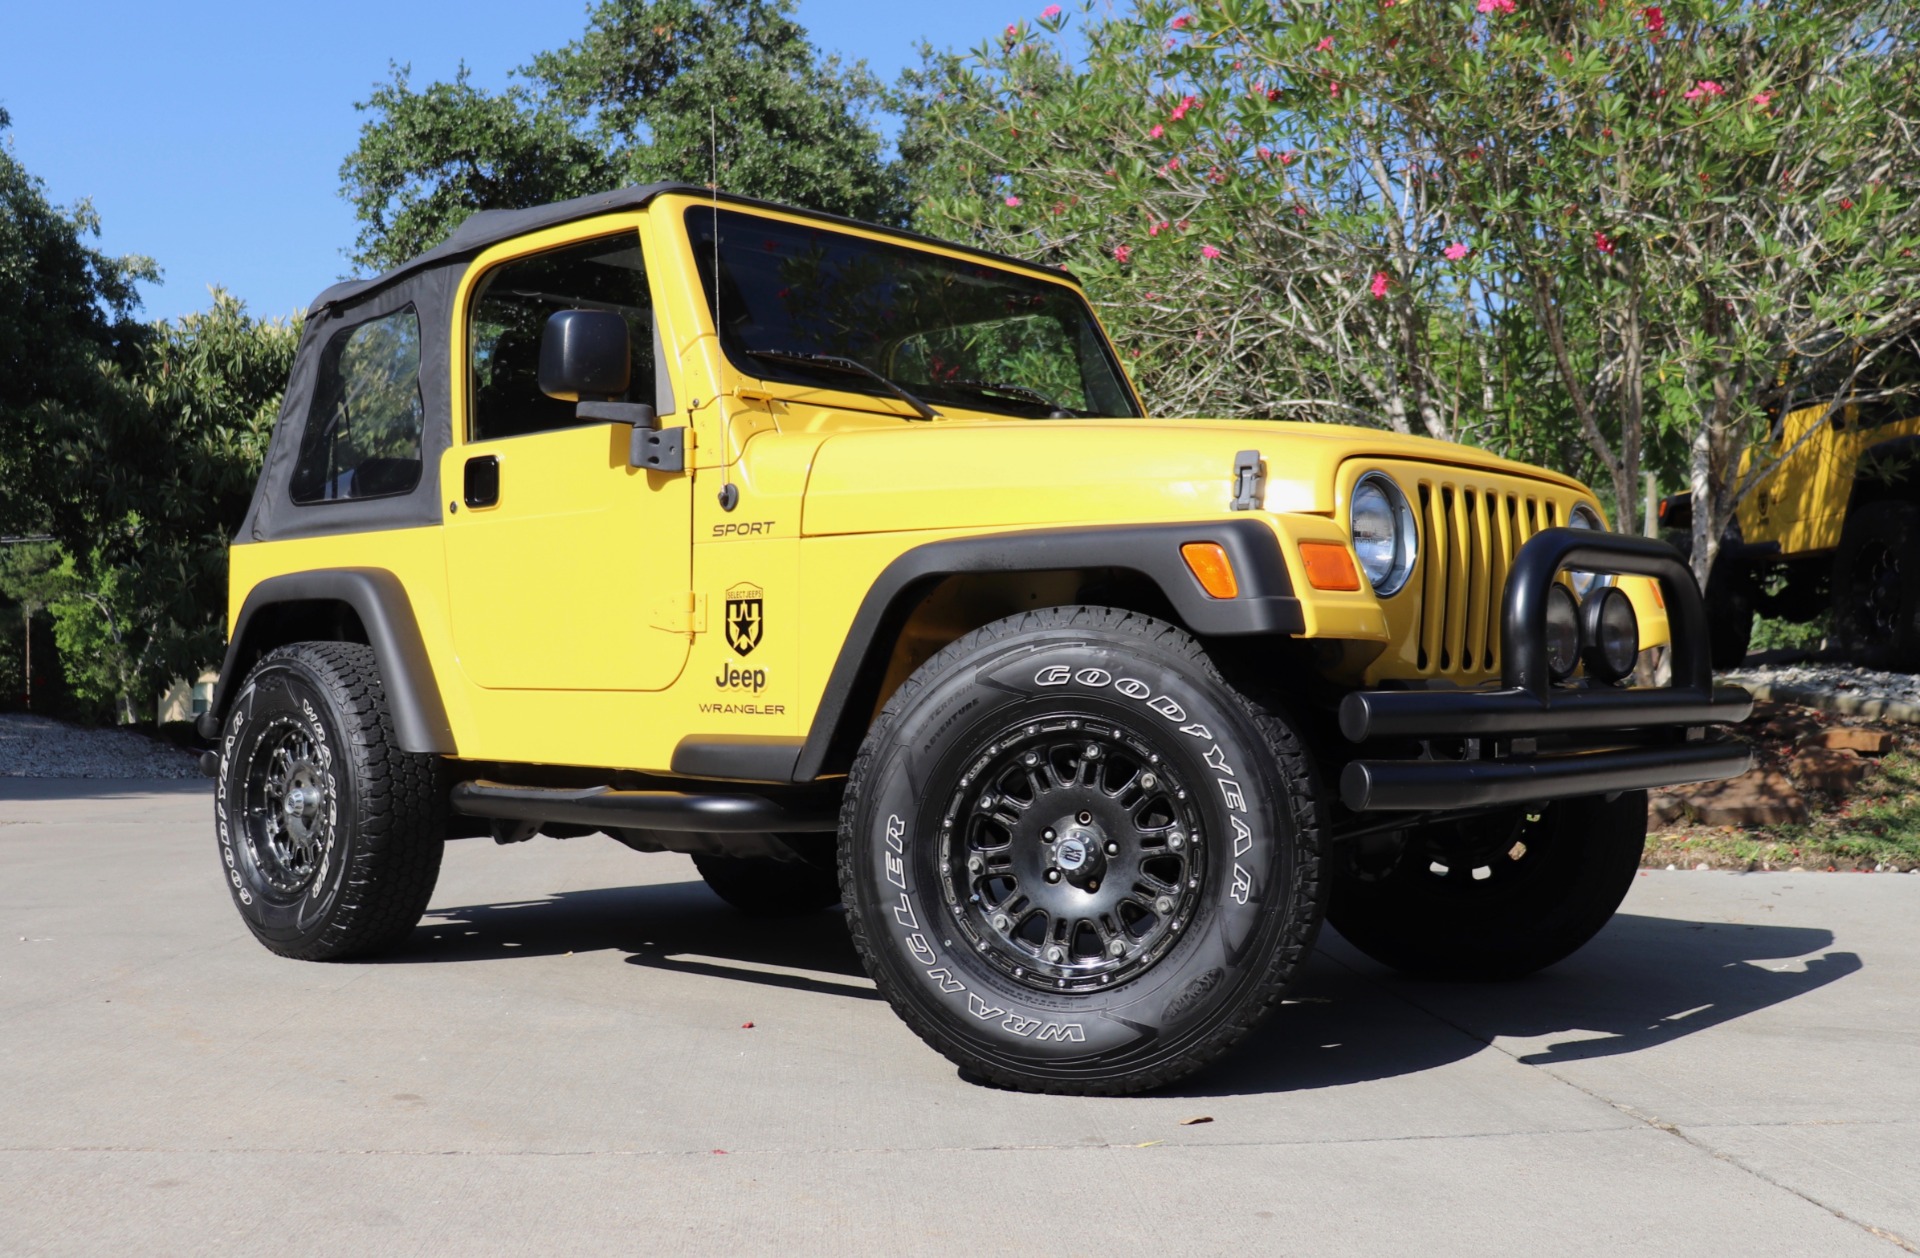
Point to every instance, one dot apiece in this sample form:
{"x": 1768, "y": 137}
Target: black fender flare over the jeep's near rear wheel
{"x": 383, "y": 608}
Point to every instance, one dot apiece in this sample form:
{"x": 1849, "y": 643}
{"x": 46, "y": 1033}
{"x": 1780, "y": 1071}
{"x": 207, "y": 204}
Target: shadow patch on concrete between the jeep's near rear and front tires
{"x": 677, "y": 927}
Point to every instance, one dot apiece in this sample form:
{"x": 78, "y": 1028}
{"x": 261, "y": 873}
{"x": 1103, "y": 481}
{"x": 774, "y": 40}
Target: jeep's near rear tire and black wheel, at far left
{"x": 329, "y": 833}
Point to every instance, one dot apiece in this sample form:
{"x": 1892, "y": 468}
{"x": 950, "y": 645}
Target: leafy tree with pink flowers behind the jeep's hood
{"x": 1600, "y": 231}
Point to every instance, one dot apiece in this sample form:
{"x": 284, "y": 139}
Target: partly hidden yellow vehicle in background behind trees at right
{"x": 1833, "y": 529}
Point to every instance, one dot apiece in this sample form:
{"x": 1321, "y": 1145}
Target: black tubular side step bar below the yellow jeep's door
{"x": 602, "y": 806}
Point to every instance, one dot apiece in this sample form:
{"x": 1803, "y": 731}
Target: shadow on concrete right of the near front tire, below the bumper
{"x": 1644, "y": 982}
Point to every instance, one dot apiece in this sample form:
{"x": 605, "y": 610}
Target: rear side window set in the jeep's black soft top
{"x": 364, "y": 431}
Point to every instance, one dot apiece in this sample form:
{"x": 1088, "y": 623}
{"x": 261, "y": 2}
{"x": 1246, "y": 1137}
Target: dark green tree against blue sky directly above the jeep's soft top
{"x": 652, "y": 91}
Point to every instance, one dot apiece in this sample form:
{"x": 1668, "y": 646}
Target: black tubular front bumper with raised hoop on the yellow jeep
{"x": 1533, "y": 740}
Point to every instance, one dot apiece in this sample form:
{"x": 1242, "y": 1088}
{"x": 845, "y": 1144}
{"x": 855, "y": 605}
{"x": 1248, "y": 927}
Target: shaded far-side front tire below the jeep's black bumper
{"x": 1497, "y": 898}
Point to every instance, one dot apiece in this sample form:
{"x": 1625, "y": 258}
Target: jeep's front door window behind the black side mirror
{"x": 510, "y": 312}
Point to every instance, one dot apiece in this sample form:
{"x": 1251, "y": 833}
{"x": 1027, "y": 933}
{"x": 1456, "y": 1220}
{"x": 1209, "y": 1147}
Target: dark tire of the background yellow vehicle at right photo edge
{"x": 1877, "y": 587}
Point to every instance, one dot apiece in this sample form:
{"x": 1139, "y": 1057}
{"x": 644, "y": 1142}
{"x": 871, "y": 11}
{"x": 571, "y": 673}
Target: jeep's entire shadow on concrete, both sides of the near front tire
{"x": 1641, "y": 984}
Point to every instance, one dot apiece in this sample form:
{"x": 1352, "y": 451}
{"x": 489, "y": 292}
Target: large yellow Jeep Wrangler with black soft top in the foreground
{"x": 850, "y": 564}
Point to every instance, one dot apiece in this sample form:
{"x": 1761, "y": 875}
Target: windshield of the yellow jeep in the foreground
{"x": 953, "y": 333}
